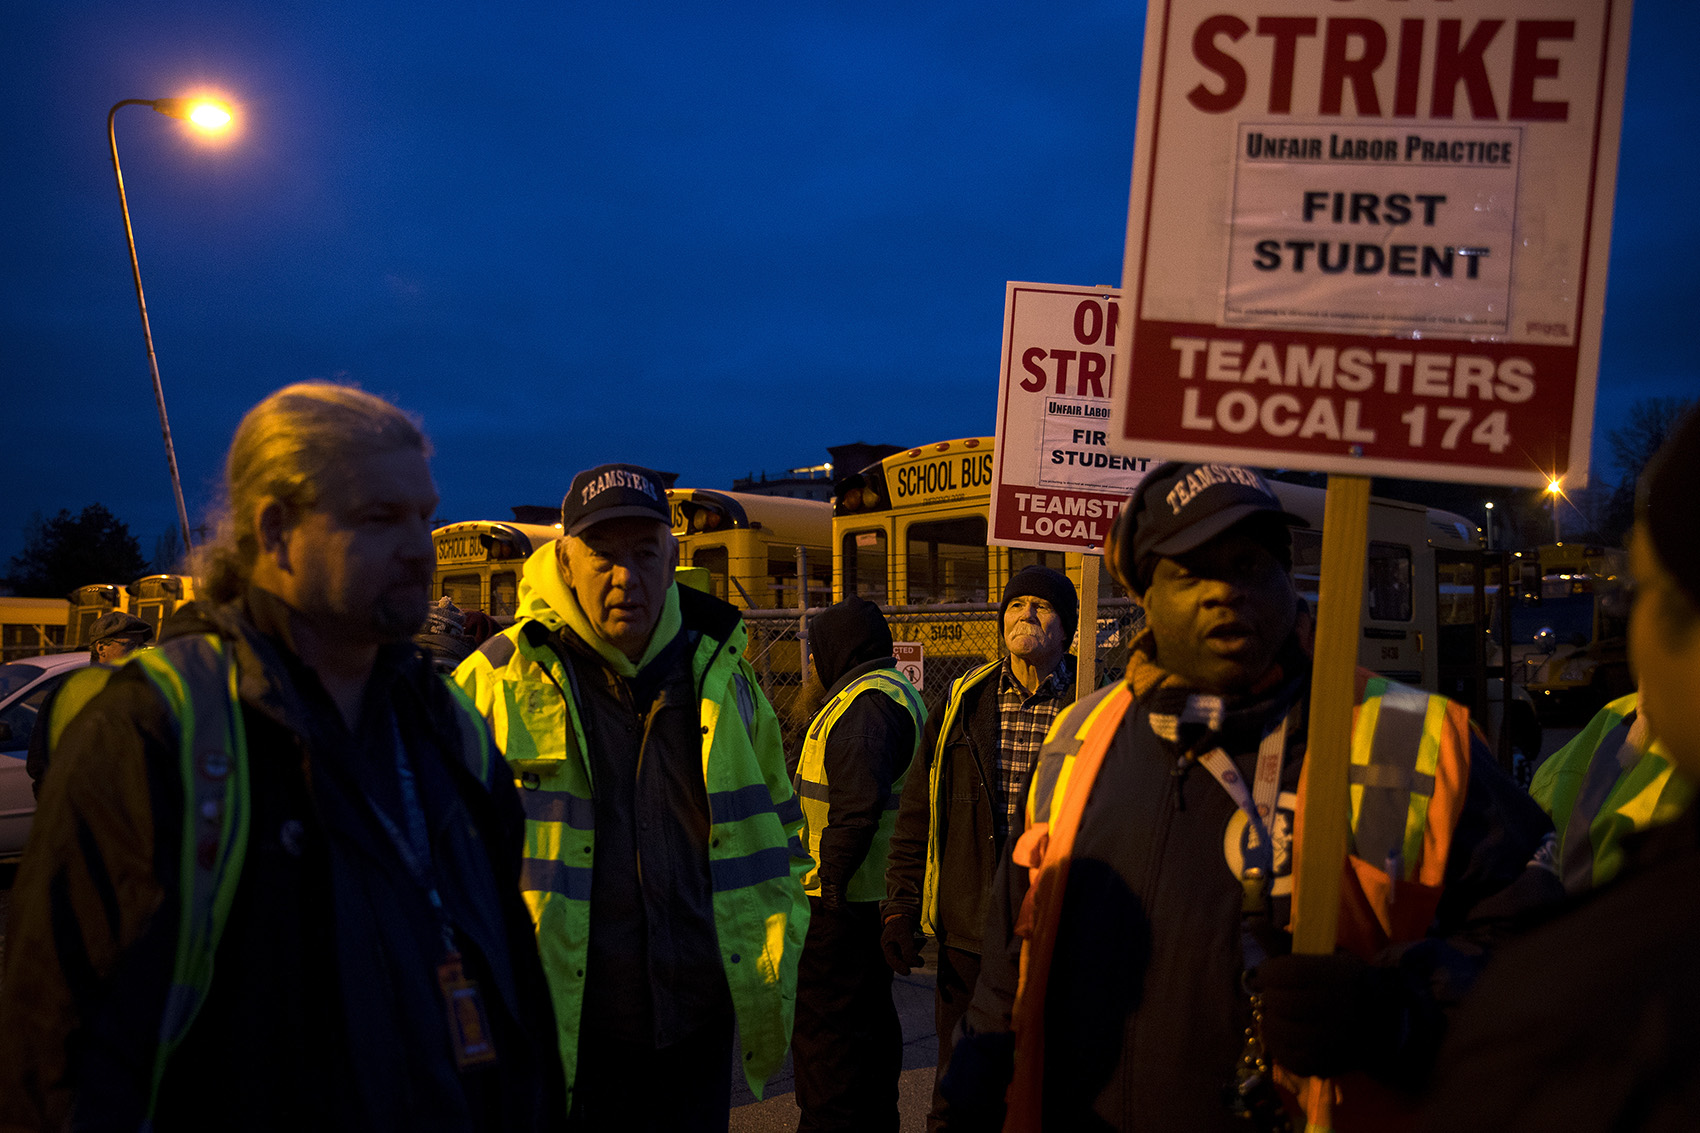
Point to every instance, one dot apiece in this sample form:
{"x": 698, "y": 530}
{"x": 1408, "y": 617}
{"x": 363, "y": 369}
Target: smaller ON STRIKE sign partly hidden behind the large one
{"x": 1057, "y": 482}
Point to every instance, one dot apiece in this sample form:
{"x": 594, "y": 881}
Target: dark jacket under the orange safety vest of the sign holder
{"x": 1145, "y": 1013}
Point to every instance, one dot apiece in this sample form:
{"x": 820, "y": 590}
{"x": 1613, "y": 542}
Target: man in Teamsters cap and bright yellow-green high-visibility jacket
{"x": 632, "y": 719}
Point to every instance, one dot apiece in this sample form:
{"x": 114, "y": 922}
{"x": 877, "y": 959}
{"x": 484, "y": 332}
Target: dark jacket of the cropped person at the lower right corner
{"x": 1589, "y": 1023}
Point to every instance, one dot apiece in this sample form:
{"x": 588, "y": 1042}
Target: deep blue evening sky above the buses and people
{"x": 713, "y": 239}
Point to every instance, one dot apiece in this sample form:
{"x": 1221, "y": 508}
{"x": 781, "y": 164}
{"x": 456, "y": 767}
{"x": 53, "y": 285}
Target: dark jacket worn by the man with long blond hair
{"x": 324, "y": 1008}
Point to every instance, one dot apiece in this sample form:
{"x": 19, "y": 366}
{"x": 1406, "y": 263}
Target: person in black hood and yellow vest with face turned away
{"x": 847, "y": 1049}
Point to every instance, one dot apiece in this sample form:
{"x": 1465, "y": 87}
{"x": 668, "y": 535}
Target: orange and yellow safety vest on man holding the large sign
{"x": 1410, "y": 771}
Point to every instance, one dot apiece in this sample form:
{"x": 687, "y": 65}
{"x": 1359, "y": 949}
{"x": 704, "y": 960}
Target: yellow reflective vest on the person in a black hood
{"x": 870, "y": 880}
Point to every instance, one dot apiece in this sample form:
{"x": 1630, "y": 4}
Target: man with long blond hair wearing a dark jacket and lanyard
{"x": 275, "y": 877}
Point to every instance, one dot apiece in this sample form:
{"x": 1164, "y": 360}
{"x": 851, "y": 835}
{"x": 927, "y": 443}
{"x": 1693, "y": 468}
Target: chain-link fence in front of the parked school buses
{"x": 955, "y": 641}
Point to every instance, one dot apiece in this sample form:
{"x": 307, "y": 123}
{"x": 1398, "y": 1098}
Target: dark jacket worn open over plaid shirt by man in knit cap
{"x": 970, "y": 802}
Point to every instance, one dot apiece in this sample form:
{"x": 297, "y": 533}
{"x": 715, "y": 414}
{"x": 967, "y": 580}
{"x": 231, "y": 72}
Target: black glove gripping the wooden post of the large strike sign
{"x": 1325, "y": 1016}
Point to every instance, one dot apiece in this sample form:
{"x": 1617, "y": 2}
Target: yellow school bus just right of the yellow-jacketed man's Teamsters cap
{"x": 751, "y": 545}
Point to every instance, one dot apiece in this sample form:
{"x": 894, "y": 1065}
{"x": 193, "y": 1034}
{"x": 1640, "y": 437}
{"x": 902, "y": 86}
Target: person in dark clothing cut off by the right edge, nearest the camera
{"x": 1590, "y": 1023}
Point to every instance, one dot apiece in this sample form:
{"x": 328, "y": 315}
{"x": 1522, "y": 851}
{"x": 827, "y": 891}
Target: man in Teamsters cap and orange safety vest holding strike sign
{"x": 1153, "y": 880}
